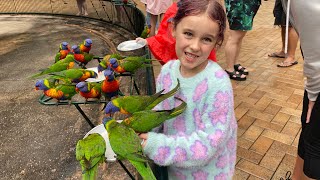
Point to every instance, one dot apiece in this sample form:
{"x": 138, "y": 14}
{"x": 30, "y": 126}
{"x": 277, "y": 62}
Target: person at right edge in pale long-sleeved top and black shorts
{"x": 306, "y": 20}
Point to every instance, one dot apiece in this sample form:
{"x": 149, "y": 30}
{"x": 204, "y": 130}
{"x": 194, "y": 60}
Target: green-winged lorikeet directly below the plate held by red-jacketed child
{"x": 129, "y": 64}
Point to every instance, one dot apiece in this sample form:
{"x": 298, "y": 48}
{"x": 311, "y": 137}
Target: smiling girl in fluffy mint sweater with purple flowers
{"x": 201, "y": 142}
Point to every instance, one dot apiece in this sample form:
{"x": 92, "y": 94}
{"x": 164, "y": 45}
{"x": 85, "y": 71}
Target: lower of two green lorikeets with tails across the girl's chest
{"x": 145, "y": 121}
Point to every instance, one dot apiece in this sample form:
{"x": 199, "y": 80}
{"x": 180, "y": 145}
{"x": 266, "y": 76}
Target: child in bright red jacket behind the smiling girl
{"x": 162, "y": 45}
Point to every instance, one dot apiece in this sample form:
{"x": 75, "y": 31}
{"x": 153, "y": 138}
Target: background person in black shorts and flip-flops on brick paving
{"x": 280, "y": 20}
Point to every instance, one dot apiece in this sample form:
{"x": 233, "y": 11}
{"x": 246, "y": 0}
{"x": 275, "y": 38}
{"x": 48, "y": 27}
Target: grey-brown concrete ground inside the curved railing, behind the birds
{"x": 37, "y": 141}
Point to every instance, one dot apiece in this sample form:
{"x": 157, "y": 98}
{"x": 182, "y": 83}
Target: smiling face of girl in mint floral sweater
{"x": 195, "y": 39}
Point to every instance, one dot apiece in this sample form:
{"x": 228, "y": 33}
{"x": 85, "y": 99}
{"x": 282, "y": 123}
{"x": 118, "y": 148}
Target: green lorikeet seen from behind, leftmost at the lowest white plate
{"x": 90, "y": 153}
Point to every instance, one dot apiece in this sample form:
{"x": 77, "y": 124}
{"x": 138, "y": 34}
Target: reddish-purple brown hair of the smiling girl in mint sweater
{"x": 196, "y": 7}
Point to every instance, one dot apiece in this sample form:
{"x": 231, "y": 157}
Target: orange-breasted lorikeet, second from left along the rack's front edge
{"x": 89, "y": 89}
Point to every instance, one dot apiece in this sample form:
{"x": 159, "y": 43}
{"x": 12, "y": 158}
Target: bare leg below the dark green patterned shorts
{"x": 232, "y": 49}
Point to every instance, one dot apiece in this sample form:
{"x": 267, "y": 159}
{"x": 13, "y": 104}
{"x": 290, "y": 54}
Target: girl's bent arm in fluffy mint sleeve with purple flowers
{"x": 216, "y": 132}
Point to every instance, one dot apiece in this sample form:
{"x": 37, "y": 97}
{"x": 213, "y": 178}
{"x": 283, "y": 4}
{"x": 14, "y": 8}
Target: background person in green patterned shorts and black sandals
{"x": 240, "y": 16}
